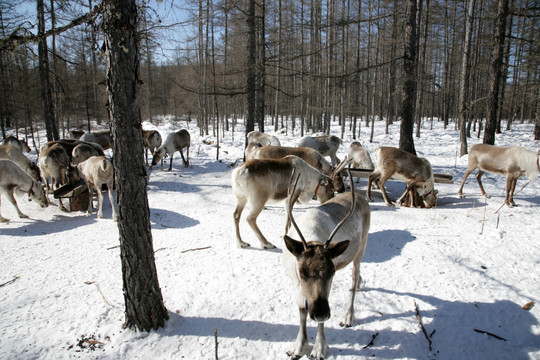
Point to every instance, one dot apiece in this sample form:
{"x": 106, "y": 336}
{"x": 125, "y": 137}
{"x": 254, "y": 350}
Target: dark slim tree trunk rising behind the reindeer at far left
{"x": 44, "y": 80}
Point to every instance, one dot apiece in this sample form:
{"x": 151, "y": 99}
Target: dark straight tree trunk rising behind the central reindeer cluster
{"x": 251, "y": 68}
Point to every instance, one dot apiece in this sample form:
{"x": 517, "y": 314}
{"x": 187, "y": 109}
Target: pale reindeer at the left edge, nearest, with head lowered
{"x": 12, "y": 178}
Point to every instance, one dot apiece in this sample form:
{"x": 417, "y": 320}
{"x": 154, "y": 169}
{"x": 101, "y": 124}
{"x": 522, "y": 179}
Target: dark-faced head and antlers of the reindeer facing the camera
{"x": 315, "y": 264}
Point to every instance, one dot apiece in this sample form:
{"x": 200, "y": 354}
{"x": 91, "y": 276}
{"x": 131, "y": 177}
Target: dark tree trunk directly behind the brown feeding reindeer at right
{"x": 406, "y": 141}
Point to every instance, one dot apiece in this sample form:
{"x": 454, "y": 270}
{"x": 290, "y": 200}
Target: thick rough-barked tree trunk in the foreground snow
{"x": 143, "y": 300}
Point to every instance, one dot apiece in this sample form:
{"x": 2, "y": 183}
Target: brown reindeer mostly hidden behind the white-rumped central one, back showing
{"x": 309, "y": 155}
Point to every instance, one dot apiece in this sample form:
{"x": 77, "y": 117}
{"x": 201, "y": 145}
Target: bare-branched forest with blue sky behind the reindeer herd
{"x": 307, "y": 62}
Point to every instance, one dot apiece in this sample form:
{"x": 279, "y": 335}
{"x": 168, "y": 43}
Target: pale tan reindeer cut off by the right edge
{"x": 513, "y": 161}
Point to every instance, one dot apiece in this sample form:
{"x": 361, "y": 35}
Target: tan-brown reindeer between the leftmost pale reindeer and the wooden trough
{"x": 54, "y": 164}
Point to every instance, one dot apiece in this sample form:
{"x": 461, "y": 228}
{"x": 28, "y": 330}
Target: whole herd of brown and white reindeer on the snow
{"x": 326, "y": 238}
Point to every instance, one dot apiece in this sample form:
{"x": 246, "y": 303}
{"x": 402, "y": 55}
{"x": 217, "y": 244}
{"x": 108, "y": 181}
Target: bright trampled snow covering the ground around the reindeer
{"x": 465, "y": 266}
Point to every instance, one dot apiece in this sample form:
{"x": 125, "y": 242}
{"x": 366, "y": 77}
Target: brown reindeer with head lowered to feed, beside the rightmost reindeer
{"x": 401, "y": 165}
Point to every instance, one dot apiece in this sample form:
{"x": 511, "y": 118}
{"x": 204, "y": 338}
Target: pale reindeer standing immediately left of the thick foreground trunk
{"x": 97, "y": 171}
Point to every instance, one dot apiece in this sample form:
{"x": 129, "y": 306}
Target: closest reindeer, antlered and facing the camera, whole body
{"x": 335, "y": 235}
